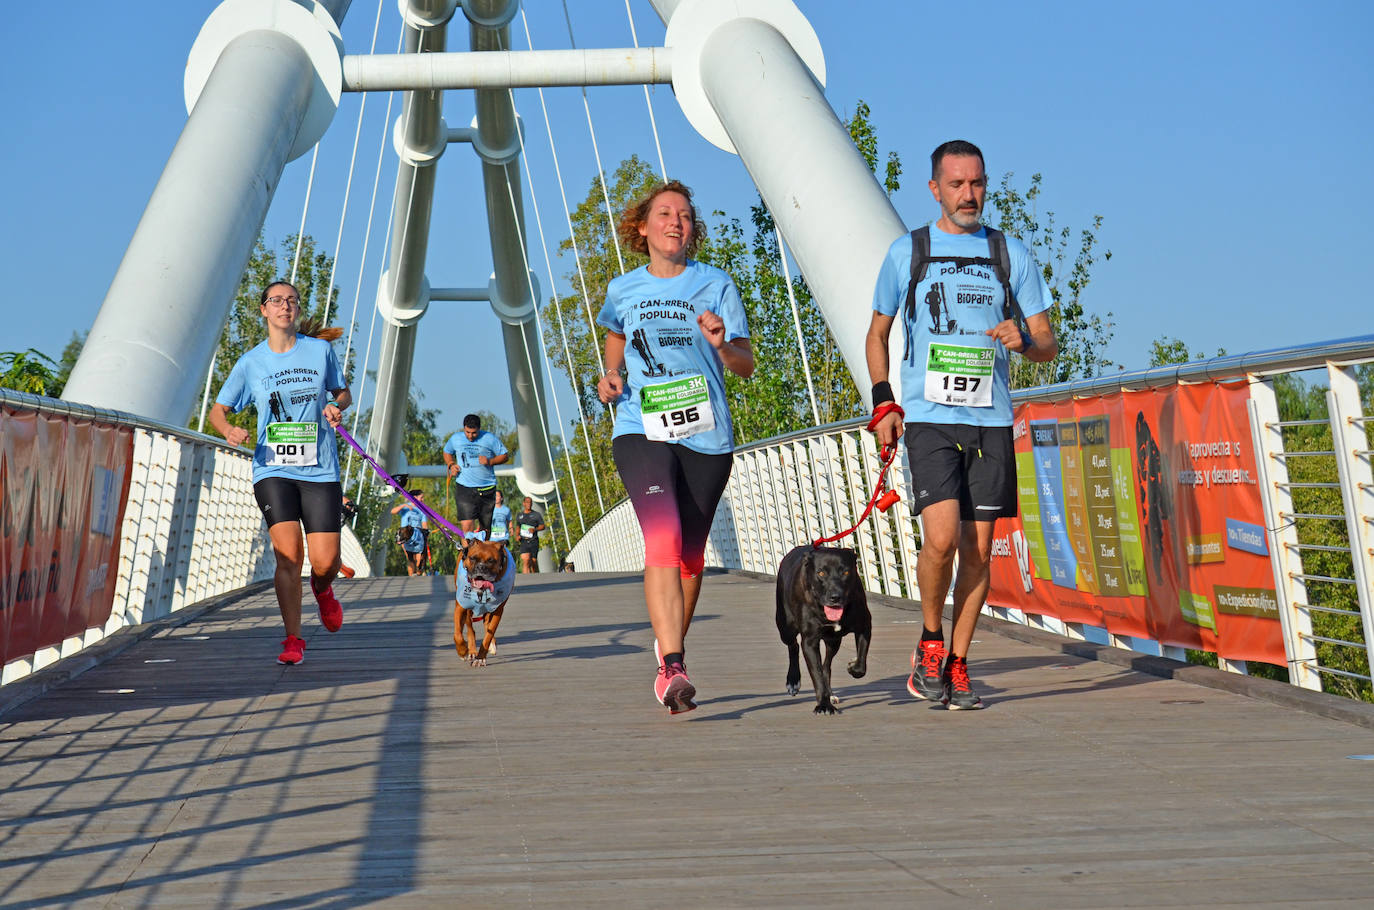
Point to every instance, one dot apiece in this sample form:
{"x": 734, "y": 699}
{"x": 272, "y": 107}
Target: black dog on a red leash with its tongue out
{"x": 820, "y": 599}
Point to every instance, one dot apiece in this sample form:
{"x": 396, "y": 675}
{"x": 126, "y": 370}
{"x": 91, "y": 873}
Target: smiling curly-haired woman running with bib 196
{"x": 674, "y": 442}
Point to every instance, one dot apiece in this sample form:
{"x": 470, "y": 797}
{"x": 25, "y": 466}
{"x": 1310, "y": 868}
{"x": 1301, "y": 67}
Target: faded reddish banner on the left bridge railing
{"x": 64, "y": 485}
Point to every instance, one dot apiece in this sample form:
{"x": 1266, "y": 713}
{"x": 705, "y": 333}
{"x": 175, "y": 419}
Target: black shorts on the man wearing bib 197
{"x": 975, "y": 465}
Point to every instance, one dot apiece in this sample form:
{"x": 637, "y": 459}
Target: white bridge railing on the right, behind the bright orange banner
{"x": 792, "y": 490}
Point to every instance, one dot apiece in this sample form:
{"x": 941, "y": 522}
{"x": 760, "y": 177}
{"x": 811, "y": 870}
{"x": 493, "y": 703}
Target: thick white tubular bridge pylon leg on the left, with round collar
{"x": 262, "y": 85}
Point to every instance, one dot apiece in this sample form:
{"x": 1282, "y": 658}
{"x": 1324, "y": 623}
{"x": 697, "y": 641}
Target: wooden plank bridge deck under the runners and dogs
{"x": 192, "y": 770}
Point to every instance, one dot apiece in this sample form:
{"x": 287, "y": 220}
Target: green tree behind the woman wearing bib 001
{"x": 244, "y": 328}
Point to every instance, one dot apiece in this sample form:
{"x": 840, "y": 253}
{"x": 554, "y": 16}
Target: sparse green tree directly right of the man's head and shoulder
{"x": 1083, "y": 336}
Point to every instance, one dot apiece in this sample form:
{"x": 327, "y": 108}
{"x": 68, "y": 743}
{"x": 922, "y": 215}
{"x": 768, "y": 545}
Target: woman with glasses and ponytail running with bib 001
{"x": 295, "y": 381}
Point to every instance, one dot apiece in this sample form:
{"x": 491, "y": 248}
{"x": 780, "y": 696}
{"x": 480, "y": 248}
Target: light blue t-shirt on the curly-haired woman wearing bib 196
{"x": 663, "y": 343}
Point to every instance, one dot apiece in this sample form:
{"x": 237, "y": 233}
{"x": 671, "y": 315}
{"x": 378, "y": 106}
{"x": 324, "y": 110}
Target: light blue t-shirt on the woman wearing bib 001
{"x": 289, "y": 388}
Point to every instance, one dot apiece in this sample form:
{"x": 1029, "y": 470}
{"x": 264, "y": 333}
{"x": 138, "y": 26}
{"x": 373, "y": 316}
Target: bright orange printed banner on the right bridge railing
{"x": 1141, "y": 513}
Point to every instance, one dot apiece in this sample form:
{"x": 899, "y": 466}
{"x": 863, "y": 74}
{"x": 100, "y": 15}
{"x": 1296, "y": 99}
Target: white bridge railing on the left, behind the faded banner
{"x": 192, "y": 529}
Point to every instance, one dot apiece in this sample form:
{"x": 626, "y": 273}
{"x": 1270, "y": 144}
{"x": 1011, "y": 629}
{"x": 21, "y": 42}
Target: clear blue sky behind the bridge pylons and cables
{"x": 1226, "y": 145}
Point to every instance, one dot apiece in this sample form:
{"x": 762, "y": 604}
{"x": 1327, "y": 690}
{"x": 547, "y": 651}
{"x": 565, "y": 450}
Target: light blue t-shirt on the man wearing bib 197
{"x": 956, "y": 304}
